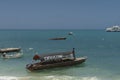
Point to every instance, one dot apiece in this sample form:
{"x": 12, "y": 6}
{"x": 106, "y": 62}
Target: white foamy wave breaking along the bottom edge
{"x": 48, "y": 78}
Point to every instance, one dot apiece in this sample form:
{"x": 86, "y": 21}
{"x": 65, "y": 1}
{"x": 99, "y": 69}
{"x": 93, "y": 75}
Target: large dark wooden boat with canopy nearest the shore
{"x": 53, "y": 60}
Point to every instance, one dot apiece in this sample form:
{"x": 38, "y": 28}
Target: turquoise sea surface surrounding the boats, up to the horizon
{"x": 102, "y": 49}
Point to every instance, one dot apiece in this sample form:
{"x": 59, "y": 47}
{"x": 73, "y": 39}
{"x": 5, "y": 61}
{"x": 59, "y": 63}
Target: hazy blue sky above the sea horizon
{"x": 59, "y": 14}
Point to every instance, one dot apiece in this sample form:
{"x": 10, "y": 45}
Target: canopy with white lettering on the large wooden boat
{"x": 55, "y": 57}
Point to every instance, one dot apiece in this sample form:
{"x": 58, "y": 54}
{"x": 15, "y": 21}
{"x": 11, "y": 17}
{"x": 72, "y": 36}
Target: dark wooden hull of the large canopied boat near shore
{"x": 39, "y": 66}
